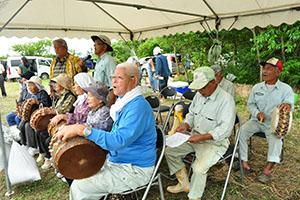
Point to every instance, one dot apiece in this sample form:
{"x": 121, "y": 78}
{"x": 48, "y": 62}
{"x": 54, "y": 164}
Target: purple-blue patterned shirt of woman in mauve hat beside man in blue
{"x": 100, "y": 119}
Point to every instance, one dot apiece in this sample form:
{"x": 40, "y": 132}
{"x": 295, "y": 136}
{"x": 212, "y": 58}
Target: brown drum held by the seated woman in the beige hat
{"x": 40, "y": 122}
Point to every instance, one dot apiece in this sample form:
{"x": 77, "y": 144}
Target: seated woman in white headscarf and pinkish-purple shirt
{"x": 81, "y": 80}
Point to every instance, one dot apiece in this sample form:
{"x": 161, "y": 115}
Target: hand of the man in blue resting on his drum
{"x": 70, "y": 131}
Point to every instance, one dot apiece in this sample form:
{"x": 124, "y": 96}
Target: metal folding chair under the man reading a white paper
{"x": 231, "y": 152}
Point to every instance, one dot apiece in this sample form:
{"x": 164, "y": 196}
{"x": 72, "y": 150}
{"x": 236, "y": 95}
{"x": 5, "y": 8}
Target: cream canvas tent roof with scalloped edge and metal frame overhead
{"x": 138, "y": 18}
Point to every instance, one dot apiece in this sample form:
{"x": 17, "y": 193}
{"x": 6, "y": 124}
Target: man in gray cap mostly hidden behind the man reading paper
{"x": 222, "y": 82}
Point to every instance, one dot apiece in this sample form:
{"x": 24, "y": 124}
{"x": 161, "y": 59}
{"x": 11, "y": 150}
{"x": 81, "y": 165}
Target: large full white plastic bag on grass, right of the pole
{"x": 21, "y": 165}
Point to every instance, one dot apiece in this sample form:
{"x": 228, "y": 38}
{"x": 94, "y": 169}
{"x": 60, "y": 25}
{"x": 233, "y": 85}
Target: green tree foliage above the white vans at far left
{"x": 39, "y": 48}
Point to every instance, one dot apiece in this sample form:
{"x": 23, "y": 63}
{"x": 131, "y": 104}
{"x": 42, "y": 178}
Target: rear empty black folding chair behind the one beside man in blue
{"x": 169, "y": 92}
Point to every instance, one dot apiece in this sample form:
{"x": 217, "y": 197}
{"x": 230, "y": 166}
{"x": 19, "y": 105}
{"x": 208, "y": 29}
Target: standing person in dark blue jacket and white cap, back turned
{"x": 162, "y": 69}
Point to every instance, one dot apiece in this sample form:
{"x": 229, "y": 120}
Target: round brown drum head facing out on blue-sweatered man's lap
{"x": 81, "y": 160}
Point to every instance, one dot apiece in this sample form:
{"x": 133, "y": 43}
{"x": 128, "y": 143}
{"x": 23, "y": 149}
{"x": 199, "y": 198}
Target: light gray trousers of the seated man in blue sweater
{"x": 112, "y": 178}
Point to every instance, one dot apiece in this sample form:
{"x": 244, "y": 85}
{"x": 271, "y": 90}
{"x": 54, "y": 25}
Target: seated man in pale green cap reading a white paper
{"x": 210, "y": 121}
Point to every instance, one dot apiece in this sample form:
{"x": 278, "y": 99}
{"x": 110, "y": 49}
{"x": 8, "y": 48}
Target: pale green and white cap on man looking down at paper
{"x": 202, "y": 76}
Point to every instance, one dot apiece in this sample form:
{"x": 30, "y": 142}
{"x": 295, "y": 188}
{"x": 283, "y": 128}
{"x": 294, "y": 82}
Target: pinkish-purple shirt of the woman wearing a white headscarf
{"x": 80, "y": 114}
